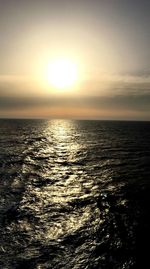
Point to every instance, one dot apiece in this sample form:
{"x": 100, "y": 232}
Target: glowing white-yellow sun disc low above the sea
{"x": 62, "y": 73}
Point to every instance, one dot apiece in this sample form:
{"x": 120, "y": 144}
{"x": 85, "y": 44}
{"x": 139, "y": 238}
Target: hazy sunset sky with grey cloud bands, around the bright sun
{"x": 108, "y": 40}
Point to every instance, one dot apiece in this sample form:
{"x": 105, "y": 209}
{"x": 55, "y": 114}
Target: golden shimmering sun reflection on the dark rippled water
{"x": 56, "y": 190}
